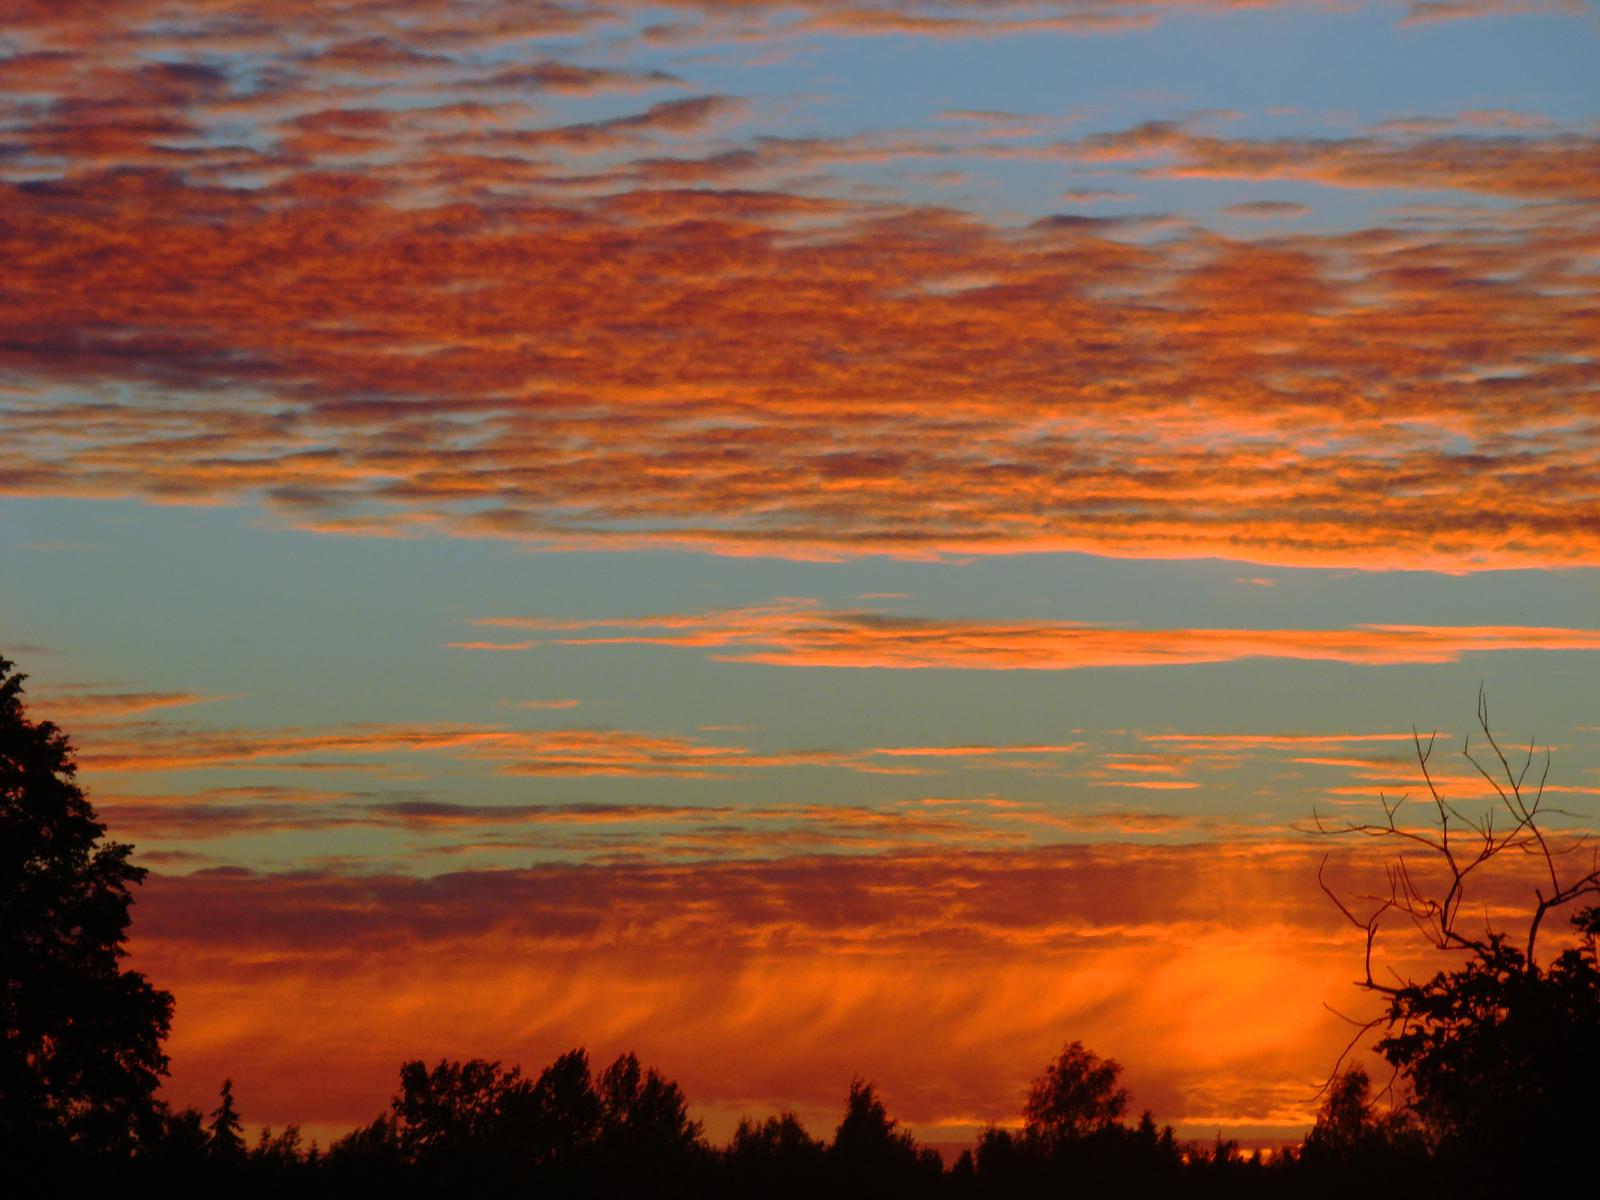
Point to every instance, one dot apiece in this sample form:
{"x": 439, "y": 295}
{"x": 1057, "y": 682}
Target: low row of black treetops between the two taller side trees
{"x": 478, "y": 1130}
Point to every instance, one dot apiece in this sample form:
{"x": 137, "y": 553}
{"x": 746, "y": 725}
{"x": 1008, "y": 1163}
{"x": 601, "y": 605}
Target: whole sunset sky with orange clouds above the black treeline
{"x": 799, "y": 540}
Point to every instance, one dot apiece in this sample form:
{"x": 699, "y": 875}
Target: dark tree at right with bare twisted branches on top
{"x": 1500, "y": 1054}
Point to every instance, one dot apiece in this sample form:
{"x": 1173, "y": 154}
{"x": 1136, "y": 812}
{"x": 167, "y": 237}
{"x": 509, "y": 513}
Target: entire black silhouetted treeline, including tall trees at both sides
{"x": 1497, "y": 1063}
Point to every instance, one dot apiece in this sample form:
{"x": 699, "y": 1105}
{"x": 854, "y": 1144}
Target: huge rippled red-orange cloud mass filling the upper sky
{"x": 396, "y": 295}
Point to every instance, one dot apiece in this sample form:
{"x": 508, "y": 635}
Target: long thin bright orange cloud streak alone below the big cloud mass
{"x": 814, "y": 638}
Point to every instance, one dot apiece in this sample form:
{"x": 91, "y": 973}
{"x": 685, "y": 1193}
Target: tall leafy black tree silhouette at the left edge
{"x": 81, "y": 1050}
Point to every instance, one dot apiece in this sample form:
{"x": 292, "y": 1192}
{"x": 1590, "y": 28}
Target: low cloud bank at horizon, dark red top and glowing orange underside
{"x": 951, "y": 978}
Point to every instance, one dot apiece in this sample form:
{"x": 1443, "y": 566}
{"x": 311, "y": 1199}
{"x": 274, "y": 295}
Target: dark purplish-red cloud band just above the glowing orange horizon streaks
{"x": 938, "y": 900}
